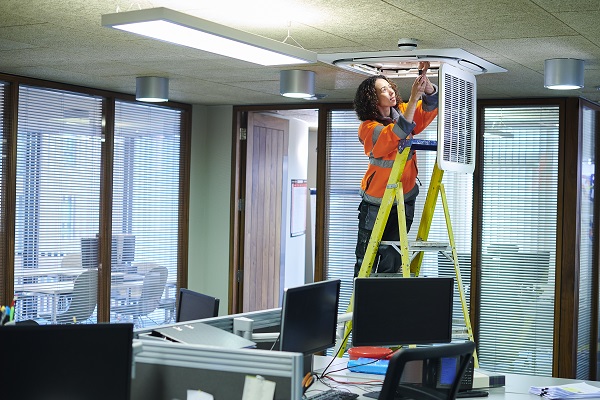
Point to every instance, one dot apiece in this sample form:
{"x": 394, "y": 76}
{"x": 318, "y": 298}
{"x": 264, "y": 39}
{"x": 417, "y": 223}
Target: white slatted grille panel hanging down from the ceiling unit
{"x": 456, "y": 119}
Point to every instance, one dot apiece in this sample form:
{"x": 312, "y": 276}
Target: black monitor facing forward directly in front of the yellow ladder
{"x": 399, "y": 311}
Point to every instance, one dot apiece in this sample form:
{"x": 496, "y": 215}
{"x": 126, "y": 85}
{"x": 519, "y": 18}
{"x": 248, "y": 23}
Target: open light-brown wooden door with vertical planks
{"x": 266, "y": 157}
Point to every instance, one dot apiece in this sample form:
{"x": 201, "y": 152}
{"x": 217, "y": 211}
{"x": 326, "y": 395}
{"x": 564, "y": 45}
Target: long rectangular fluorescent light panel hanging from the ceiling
{"x": 186, "y": 30}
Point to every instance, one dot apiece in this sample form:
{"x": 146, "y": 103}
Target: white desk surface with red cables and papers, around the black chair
{"x": 517, "y": 386}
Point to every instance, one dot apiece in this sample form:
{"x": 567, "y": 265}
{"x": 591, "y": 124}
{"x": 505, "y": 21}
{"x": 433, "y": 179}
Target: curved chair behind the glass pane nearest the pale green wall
{"x": 153, "y": 286}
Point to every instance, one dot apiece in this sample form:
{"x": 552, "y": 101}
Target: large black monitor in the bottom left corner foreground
{"x": 67, "y": 362}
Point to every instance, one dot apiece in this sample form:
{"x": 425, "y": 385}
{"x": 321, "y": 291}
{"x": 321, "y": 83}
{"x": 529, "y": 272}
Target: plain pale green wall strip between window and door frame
{"x": 210, "y": 188}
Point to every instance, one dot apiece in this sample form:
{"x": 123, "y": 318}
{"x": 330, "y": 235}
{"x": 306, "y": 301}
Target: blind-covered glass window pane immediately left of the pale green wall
{"x": 146, "y": 184}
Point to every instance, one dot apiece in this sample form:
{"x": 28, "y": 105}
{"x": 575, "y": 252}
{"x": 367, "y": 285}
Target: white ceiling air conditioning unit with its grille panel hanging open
{"x": 456, "y": 70}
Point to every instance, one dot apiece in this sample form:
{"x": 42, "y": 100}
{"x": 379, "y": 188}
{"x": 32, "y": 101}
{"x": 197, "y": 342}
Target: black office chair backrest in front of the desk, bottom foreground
{"x": 442, "y": 368}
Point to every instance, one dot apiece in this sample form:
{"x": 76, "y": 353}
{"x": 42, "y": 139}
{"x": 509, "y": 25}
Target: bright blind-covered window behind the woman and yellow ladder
{"x": 346, "y": 165}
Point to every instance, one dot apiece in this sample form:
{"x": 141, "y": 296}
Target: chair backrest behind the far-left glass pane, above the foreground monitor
{"x": 84, "y": 298}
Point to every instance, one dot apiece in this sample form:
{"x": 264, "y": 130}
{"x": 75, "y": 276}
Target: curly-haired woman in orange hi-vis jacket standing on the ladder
{"x": 386, "y": 121}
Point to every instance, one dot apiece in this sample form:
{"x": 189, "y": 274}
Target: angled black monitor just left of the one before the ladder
{"x": 309, "y": 317}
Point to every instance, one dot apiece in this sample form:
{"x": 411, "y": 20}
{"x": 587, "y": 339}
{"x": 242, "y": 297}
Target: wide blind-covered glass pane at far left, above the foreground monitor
{"x": 58, "y": 180}
